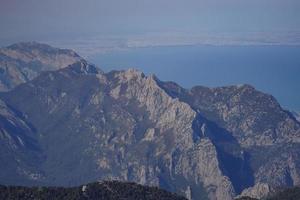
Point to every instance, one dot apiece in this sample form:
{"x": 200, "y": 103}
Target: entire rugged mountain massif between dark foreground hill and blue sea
{"x": 78, "y": 124}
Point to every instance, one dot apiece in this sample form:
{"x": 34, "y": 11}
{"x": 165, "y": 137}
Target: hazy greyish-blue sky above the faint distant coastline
{"x": 34, "y": 19}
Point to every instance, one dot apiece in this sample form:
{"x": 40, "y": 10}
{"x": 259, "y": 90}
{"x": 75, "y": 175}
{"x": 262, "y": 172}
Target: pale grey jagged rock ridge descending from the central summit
{"x": 196, "y": 157}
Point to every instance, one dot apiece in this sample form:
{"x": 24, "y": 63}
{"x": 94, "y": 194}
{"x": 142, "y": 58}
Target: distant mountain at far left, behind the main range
{"x": 24, "y": 61}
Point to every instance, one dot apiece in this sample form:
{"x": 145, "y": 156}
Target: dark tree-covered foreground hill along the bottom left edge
{"x": 108, "y": 190}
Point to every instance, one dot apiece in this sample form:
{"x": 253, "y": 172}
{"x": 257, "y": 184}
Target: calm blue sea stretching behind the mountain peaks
{"x": 271, "y": 69}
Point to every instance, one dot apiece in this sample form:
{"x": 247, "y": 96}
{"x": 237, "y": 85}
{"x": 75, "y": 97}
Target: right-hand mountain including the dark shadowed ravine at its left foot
{"x": 267, "y": 135}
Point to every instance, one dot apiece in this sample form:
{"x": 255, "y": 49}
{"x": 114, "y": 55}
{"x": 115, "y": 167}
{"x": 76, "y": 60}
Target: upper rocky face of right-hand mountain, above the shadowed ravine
{"x": 254, "y": 118}
